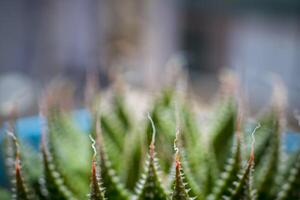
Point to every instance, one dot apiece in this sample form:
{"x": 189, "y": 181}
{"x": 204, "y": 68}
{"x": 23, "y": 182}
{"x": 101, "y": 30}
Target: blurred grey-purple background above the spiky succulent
{"x": 64, "y": 40}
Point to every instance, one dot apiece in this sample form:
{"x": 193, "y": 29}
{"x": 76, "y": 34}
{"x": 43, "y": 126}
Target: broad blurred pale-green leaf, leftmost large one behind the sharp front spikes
{"x": 65, "y": 138}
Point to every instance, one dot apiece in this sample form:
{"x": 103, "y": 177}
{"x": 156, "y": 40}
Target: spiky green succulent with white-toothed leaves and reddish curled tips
{"x": 136, "y": 159}
